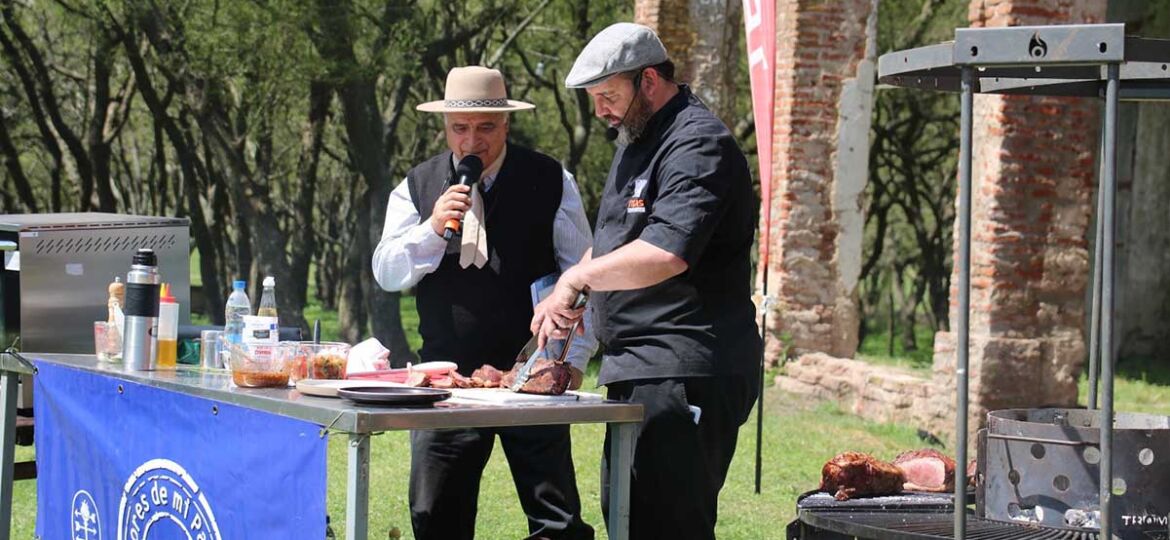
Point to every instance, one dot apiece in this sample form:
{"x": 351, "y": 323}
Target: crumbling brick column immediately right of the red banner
{"x": 824, "y": 85}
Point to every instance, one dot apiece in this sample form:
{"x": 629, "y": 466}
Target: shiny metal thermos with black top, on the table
{"x": 140, "y": 338}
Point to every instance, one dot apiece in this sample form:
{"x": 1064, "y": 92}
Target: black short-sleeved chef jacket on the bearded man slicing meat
{"x": 685, "y": 188}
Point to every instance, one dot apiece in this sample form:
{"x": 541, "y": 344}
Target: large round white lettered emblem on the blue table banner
{"x": 162, "y": 501}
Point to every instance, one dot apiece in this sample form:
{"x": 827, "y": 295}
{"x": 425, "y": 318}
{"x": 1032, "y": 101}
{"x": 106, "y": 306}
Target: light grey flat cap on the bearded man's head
{"x": 621, "y": 47}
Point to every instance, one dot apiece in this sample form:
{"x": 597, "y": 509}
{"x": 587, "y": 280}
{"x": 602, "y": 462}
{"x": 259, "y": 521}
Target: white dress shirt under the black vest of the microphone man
{"x": 410, "y": 248}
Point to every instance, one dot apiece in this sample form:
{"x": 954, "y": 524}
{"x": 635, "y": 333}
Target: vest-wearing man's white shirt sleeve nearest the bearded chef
{"x": 572, "y": 238}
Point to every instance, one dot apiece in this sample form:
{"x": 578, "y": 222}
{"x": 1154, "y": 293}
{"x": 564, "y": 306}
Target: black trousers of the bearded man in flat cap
{"x": 679, "y": 466}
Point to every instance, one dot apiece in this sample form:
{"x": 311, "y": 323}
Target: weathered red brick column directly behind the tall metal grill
{"x": 1034, "y": 178}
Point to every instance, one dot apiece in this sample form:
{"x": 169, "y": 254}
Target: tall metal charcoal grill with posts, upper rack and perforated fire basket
{"x": 1038, "y": 465}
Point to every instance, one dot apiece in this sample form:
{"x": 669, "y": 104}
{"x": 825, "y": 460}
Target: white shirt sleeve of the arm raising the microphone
{"x": 409, "y": 250}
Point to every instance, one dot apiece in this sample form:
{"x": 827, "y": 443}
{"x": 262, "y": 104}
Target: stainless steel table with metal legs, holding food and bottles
{"x": 357, "y": 423}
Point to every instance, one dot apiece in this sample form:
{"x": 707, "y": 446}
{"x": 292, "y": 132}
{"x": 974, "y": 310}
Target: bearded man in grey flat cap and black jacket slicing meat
{"x": 671, "y": 282}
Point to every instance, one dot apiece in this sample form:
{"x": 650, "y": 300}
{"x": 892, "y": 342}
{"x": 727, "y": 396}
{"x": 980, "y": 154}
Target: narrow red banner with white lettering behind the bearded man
{"x": 760, "y": 20}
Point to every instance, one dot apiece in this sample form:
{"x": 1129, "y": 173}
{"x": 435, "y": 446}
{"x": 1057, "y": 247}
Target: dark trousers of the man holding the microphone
{"x": 446, "y": 467}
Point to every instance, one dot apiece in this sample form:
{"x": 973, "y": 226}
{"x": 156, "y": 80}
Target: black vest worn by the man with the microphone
{"x": 476, "y": 316}
